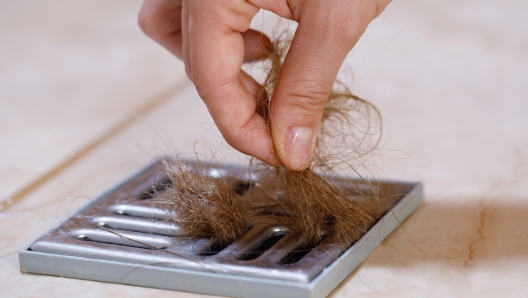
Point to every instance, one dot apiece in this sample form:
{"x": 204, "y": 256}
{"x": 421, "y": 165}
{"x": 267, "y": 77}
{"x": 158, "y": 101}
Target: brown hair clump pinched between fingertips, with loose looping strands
{"x": 318, "y": 205}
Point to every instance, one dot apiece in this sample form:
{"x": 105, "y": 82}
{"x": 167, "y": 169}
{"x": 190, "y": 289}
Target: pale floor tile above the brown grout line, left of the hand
{"x": 69, "y": 71}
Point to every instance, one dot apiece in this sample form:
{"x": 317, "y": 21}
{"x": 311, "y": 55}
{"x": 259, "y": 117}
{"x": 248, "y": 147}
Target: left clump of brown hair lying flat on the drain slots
{"x": 203, "y": 206}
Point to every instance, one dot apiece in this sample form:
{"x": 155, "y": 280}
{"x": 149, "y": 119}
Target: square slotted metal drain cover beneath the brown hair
{"x": 123, "y": 237}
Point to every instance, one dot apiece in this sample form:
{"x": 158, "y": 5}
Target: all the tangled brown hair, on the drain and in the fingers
{"x": 316, "y": 201}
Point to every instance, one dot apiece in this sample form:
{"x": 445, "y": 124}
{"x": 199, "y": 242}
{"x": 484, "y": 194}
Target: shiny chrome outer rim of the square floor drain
{"x": 221, "y": 283}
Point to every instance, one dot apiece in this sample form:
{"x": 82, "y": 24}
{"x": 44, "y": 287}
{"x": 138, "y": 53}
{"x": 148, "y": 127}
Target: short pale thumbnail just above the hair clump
{"x": 299, "y": 142}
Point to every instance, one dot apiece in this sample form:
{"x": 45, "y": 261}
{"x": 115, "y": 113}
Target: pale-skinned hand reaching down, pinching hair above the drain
{"x": 212, "y": 38}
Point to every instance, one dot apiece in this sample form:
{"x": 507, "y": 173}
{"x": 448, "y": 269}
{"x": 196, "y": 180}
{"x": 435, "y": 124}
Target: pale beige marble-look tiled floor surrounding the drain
{"x": 86, "y": 99}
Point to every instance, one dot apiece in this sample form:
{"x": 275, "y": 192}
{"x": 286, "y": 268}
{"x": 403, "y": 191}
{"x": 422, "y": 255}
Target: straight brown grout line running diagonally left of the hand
{"x": 126, "y": 121}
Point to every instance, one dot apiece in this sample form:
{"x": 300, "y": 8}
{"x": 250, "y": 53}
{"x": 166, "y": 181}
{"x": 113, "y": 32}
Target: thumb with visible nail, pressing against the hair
{"x": 305, "y": 82}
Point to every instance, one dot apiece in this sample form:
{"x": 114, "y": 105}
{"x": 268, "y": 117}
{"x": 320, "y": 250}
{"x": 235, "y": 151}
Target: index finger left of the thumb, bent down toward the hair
{"x": 216, "y": 53}
